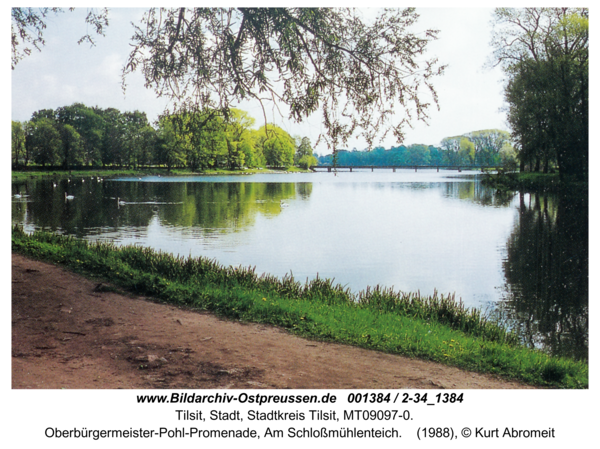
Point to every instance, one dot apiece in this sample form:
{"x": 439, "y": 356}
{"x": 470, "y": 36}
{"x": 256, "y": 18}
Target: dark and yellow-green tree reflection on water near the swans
{"x": 205, "y": 205}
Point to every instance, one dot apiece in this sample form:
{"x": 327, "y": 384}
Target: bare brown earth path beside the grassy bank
{"x": 65, "y": 334}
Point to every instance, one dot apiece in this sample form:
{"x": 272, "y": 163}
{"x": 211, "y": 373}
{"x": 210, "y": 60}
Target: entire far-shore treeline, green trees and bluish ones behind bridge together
{"x": 79, "y": 136}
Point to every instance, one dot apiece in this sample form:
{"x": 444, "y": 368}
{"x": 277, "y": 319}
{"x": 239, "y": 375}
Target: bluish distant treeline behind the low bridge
{"x": 487, "y": 147}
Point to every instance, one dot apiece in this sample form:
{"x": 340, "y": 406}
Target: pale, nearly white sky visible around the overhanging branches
{"x": 63, "y": 73}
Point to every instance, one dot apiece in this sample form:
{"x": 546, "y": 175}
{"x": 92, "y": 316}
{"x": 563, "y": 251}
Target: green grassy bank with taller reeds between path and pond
{"x": 433, "y": 328}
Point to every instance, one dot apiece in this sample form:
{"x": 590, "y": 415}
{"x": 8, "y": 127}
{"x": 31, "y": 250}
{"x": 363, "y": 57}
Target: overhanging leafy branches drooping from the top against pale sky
{"x": 308, "y": 59}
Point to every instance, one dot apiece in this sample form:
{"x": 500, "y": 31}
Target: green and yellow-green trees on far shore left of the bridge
{"x": 79, "y": 135}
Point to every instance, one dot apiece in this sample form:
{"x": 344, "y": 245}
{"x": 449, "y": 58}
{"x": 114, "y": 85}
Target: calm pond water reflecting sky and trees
{"x": 521, "y": 257}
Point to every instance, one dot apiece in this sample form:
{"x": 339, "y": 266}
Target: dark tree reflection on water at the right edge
{"x": 547, "y": 273}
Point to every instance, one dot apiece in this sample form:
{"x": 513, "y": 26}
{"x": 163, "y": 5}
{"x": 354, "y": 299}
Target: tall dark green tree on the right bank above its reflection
{"x": 544, "y": 52}
